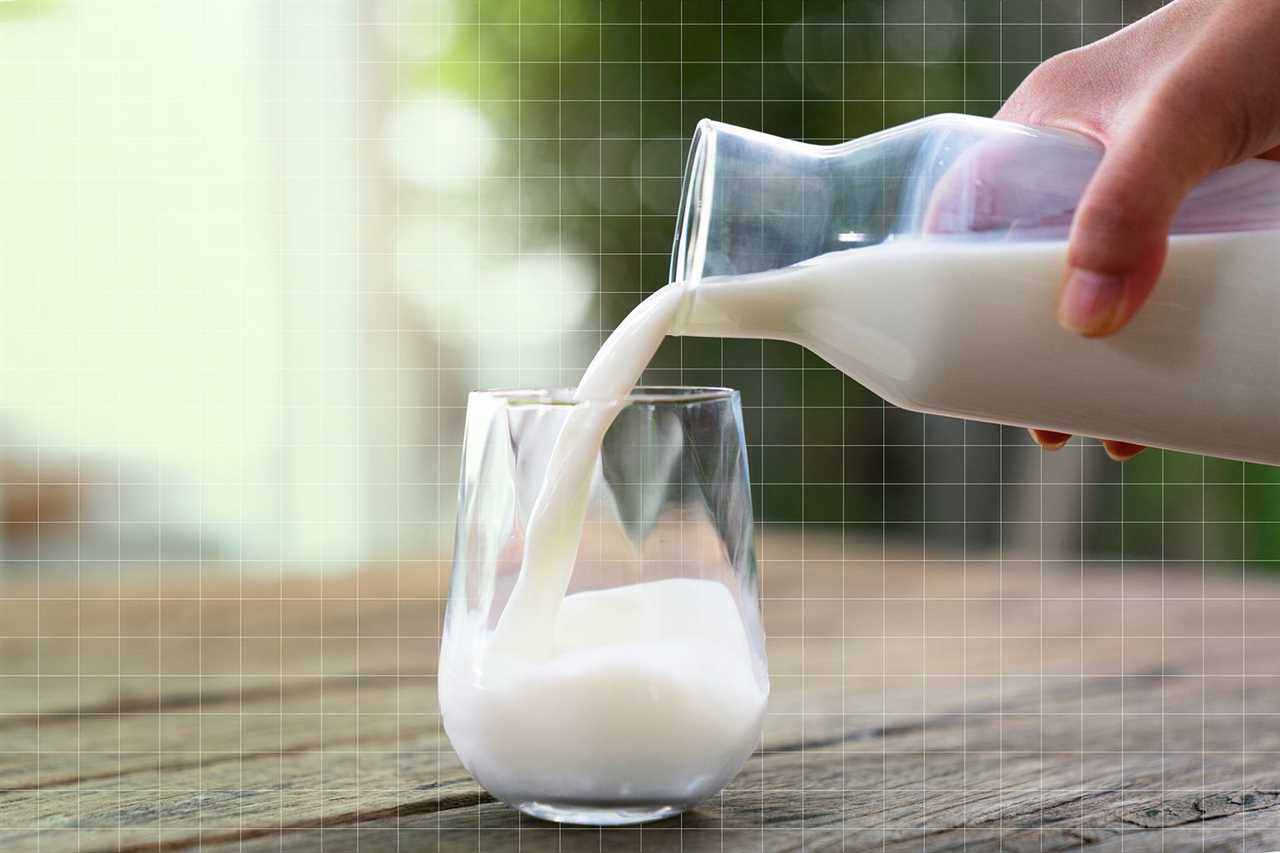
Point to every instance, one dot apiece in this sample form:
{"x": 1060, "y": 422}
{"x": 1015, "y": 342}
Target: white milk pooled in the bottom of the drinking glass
{"x": 648, "y": 699}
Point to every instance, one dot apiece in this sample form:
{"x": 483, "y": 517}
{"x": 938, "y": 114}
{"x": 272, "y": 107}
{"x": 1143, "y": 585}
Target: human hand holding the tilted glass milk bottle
{"x": 1173, "y": 98}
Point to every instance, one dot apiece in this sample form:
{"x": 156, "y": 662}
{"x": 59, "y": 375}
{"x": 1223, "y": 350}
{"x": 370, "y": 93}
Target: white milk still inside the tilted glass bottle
{"x": 970, "y": 330}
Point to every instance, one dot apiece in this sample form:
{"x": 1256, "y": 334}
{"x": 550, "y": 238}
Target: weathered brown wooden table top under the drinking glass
{"x": 953, "y": 705}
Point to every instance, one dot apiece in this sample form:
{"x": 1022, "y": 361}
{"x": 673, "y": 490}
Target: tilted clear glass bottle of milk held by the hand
{"x": 925, "y": 262}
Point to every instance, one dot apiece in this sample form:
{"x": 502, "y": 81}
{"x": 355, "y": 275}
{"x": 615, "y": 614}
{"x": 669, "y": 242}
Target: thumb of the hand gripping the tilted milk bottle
{"x": 1121, "y": 231}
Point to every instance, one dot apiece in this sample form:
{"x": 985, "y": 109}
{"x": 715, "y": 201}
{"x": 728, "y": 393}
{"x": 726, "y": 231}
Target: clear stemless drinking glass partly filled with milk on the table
{"x": 650, "y": 696}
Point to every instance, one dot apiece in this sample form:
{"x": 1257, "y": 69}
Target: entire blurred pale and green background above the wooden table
{"x": 257, "y": 253}
